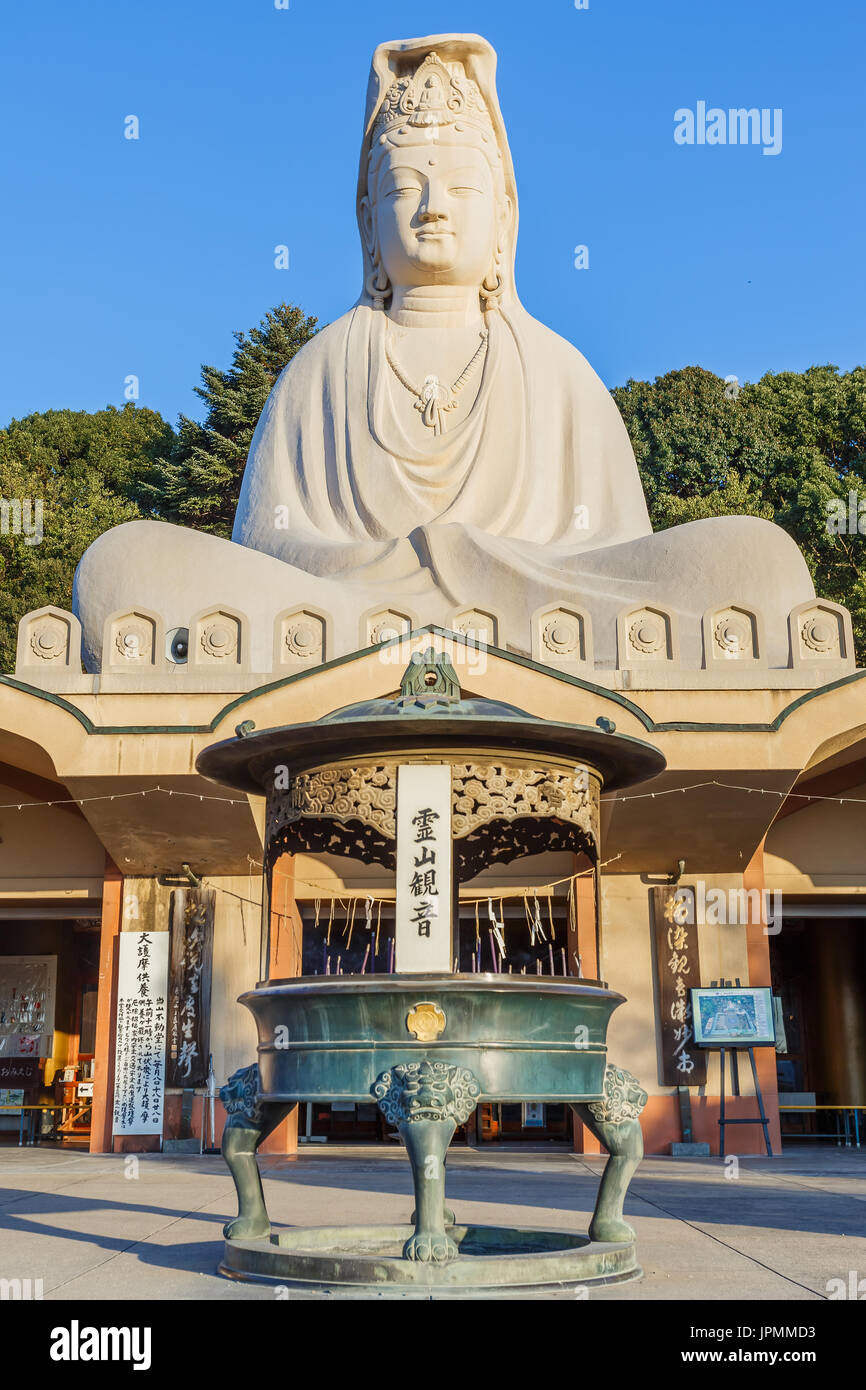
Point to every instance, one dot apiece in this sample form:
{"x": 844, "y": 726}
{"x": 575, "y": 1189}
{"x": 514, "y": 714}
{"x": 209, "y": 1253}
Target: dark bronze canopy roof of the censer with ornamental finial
{"x": 429, "y": 715}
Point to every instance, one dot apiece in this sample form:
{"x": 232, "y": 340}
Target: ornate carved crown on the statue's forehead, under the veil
{"x": 437, "y": 95}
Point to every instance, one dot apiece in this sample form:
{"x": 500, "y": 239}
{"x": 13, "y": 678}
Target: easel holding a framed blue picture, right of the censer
{"x": 733, "y": 1018}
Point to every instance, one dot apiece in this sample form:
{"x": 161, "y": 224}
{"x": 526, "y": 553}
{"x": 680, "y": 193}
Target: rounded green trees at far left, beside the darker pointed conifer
{"x": 66, "y": 476}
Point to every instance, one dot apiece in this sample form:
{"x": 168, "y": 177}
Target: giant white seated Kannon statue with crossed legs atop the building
{"x": 437, "y": 447}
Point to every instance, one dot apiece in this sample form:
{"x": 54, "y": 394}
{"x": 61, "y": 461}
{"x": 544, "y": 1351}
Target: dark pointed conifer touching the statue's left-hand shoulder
{"x": 198, "y": 483}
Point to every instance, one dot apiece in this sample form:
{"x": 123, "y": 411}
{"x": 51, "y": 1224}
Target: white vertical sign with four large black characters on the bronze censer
{"x": 425, "y": 869}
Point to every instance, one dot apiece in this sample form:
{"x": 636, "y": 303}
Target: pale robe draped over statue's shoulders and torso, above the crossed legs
{"x": 539, "y": 472}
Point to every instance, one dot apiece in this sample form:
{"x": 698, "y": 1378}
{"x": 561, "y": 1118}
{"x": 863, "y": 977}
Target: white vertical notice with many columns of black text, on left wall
{"x": 140, "y": 1060}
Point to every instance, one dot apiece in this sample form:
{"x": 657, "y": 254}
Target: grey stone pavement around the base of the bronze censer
{"x": 112, "y": 1228}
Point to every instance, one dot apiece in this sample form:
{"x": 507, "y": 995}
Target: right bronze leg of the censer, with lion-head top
{"x": 615, "y": 1121}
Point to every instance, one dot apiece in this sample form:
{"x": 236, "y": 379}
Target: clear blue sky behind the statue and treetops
{"x": 142, "y": 256}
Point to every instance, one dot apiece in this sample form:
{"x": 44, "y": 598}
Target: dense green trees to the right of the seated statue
{"x": 782, "y": 448}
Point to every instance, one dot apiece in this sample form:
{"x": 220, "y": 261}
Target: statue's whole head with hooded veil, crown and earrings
{"x": 437, "y": 199}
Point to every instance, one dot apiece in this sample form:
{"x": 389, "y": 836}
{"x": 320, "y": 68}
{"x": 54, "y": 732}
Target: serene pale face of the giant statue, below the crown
{"x": 436, "y": 216}
